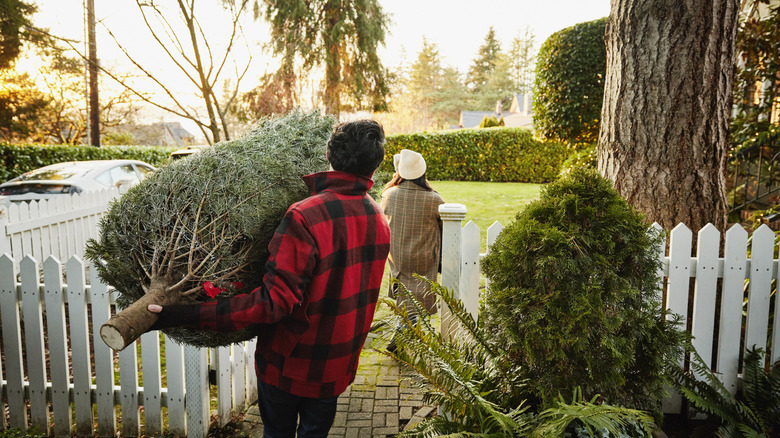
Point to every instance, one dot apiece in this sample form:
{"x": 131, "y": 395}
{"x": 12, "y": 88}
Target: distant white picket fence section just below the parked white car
{"x": 58, "y": 226}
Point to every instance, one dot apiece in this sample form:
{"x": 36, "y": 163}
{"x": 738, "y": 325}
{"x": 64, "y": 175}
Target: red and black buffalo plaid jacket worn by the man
{"x": 323, "y": 277}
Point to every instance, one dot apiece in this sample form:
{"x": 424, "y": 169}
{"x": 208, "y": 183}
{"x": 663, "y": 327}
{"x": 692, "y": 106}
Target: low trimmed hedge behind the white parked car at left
{"x": 18, "y": 159}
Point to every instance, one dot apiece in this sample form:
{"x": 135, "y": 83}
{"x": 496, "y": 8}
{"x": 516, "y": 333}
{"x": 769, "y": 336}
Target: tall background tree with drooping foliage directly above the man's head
{"x": 341, "y": 36}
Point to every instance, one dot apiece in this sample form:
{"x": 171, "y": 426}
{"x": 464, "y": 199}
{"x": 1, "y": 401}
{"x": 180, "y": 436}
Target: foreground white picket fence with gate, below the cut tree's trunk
{"x": 61, "y": 369}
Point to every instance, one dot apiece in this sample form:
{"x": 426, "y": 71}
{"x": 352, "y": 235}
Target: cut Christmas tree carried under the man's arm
{"x": 199, "y": 228}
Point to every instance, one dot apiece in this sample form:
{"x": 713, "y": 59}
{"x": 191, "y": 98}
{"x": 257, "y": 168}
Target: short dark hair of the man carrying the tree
{"x": 357, "y": 147}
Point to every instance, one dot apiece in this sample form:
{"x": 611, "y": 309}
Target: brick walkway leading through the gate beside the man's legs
{"x": 380, "y": 403}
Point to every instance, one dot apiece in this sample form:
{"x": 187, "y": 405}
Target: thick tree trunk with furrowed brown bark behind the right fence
{"x": 667, "y": 100}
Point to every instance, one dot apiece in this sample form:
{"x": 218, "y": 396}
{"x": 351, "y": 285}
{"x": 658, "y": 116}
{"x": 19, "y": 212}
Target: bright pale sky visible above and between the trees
{"x": 457, "y": 27}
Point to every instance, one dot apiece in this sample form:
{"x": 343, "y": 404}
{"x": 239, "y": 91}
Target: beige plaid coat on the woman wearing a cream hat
{"x": 415, "y": 237}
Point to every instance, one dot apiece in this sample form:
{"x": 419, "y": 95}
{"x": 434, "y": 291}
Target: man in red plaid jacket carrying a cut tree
{"x": 318, "y": 296}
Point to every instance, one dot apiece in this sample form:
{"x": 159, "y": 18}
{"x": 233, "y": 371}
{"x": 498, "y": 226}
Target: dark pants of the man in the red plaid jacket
{"x": 280, "y": 411}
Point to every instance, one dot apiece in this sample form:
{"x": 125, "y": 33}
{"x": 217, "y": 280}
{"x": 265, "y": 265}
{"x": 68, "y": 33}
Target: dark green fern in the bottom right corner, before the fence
{"x": 754, "y": 411}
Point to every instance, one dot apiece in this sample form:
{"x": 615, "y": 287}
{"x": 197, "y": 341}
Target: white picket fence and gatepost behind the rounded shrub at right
{"x": 711, "y": 272}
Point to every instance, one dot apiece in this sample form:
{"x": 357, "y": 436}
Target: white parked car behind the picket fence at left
{"x": 74, "y": 177}
